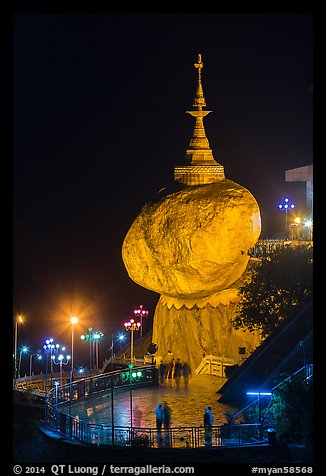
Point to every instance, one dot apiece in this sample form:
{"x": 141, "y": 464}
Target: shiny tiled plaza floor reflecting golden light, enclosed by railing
{"x": 187, "y": 402}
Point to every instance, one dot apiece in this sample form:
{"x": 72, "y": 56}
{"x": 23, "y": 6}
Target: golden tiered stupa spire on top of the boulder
{"x": 201, "y": 166}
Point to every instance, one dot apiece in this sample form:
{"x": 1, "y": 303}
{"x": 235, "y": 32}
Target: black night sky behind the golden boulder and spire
{"x": 99, "y": 123}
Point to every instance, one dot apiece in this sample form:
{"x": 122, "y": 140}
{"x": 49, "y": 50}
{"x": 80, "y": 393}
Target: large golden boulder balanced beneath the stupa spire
{"x": 194, "y": 242}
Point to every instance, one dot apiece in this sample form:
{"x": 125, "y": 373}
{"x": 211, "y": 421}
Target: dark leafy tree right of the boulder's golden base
{"x": 279, "y": 286}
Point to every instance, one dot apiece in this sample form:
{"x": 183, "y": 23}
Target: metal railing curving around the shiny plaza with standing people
{"x": 59, "y": 419}
